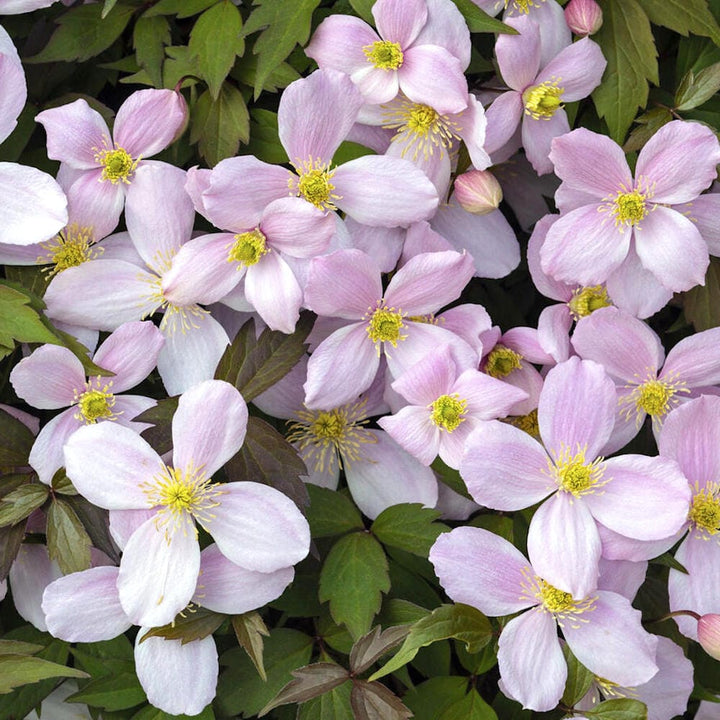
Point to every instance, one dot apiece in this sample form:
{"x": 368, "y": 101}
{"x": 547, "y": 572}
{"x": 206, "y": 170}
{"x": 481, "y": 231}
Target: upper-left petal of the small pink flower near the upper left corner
{"x": 75, "y": 134}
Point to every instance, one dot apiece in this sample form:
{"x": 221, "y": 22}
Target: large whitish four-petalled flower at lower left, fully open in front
{"x": 254, "y": 525}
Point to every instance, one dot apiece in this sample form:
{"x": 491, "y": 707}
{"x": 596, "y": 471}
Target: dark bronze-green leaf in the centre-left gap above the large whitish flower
{"x": 254, "y": 366}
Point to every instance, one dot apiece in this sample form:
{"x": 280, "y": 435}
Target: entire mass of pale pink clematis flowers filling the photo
{"x": 527, "y": 417}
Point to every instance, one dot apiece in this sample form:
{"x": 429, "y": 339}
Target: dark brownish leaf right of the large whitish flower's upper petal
{"x": 267, "y": 457}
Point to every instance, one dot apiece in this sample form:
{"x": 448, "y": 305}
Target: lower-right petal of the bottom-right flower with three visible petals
{"x": 612, "y": 643}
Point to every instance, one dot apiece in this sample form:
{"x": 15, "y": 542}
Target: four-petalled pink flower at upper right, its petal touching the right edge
{"x": 608, "y": 216}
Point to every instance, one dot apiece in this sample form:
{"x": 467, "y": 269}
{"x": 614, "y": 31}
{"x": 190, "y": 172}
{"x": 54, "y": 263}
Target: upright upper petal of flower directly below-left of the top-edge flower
{"x": 315, "y": 115}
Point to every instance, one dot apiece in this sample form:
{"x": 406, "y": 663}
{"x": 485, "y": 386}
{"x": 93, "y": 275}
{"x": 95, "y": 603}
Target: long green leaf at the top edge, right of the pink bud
{"x": 629, "y": 48}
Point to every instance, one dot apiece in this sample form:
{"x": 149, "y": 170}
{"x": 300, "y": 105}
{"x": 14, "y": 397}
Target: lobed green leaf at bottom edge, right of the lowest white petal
{"x": 242, "y": 690}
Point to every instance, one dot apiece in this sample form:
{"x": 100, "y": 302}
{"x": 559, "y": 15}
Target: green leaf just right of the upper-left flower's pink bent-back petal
{"x": 219, "y": 126}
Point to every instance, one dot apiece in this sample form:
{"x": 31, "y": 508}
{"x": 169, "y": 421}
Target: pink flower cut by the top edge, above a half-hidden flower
{"x": 421, "y": 49}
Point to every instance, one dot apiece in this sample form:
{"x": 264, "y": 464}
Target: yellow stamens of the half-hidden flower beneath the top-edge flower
{"x": 420, "y": 129}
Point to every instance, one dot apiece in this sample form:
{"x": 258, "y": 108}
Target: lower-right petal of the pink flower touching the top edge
{"x": 431, "y": 75}
